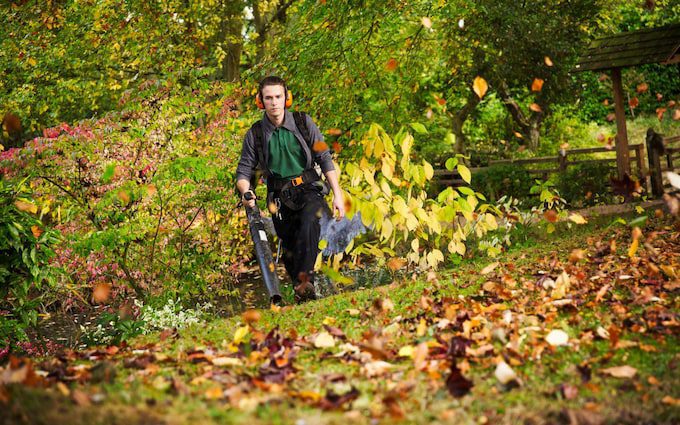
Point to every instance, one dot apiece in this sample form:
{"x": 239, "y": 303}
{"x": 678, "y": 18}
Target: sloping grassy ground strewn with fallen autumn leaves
{"x": 576, "y": 327}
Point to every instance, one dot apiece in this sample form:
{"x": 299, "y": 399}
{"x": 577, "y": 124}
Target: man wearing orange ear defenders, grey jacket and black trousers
{"x": 295, "y": 192}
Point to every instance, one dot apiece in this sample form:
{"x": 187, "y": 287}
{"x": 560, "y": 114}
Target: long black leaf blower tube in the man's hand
{"x": 262, "y": 251}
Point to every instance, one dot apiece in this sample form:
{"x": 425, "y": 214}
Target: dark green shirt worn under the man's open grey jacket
{"x": 286, "y": 158}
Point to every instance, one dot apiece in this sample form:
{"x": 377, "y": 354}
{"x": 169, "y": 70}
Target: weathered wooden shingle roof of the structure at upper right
{"x": 652, "y": 45}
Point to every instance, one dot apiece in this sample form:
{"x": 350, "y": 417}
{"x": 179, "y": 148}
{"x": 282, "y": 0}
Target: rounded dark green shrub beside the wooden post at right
{"x": 585, "y": 184}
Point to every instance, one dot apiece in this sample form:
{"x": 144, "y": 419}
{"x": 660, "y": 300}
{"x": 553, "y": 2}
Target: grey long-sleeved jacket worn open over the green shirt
{"x": 248, "y": 161}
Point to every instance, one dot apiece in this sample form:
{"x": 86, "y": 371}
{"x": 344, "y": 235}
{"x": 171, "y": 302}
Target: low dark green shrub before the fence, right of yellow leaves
{"x": 501, "y": 180}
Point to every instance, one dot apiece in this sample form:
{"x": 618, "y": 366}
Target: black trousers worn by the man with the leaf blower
{"x": 299, "y": 232}
